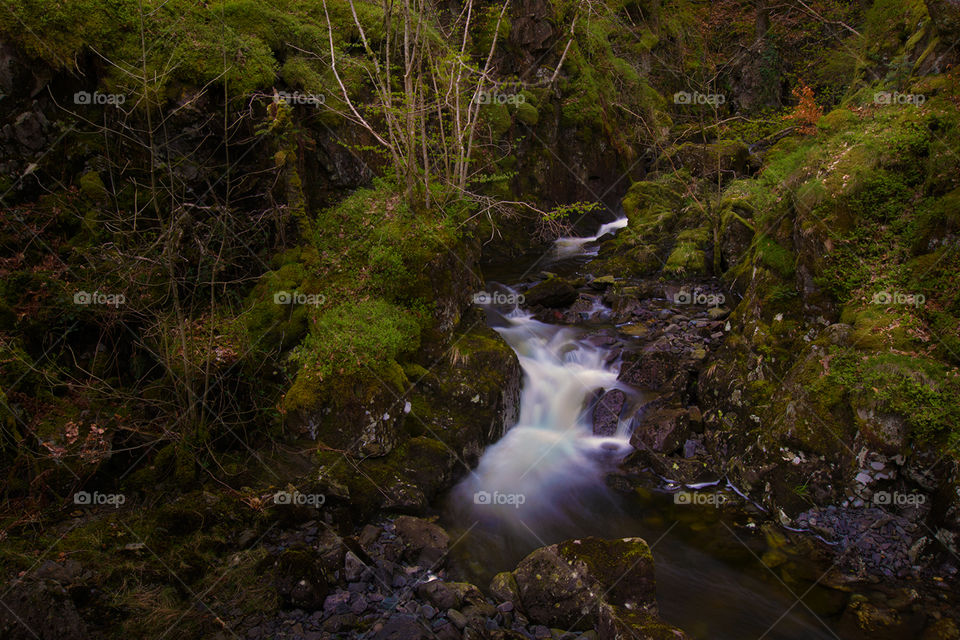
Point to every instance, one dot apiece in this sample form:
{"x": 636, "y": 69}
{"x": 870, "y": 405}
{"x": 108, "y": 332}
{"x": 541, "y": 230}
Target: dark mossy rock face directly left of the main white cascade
{"x": 457, "y": 407}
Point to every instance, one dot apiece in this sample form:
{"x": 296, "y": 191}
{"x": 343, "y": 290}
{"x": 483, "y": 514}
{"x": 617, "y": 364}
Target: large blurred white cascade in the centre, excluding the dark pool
{"x": 549, "y": 461}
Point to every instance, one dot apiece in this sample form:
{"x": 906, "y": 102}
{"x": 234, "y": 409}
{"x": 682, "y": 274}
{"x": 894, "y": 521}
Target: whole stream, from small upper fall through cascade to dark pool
{"x": 546, "y": 481}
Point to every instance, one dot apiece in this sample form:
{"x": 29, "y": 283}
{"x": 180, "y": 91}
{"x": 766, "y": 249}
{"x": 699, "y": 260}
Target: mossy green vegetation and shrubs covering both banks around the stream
{"x": 286, "y": 202}
